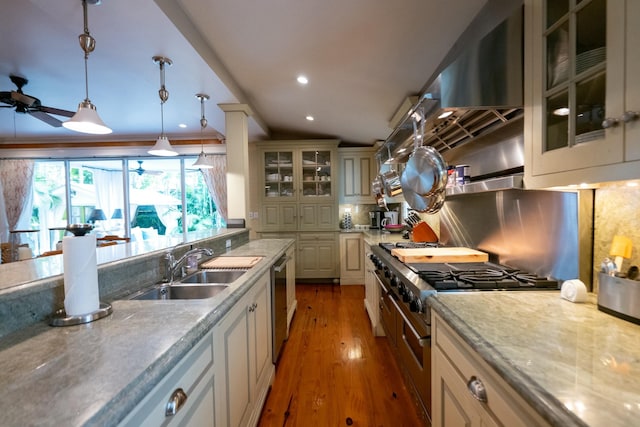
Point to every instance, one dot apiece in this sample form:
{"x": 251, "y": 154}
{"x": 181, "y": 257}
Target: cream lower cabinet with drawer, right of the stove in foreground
{"x": 468, "y": 392}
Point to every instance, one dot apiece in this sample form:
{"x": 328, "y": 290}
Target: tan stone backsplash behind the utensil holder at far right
{"x": 617, "y": 212}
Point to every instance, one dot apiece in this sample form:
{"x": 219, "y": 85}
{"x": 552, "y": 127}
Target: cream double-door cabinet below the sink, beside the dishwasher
{"x": 244, "y": 369}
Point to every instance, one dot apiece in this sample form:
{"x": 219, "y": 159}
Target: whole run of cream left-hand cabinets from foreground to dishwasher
{"x": 230, "y": 392}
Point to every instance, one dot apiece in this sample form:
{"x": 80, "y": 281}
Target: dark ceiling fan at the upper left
{"x": 27, "y": 104}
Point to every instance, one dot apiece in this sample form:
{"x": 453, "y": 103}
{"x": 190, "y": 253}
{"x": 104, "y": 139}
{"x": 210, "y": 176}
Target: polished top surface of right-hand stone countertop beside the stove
{"x": 573, "y": 363}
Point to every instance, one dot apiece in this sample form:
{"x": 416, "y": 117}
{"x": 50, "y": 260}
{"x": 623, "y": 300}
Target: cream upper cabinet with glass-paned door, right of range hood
{"x": 580, "y": 91}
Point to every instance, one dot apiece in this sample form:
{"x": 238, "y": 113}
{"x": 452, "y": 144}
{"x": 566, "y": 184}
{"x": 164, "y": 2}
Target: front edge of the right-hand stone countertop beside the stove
{"x": 543, "y": 402}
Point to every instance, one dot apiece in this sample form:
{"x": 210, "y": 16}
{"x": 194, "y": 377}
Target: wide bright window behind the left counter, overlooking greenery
{"x": 94, "y": 191}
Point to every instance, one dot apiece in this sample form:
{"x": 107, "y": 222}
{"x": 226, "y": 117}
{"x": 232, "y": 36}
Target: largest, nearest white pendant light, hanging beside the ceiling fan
{"x": 86, "y": 119}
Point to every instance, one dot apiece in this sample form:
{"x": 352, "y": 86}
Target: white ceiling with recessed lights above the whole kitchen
{"x": 362, "y": 57}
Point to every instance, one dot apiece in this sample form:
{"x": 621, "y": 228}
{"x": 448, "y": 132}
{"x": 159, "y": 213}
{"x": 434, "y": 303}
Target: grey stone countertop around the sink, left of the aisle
{"x": 95, "y": 374}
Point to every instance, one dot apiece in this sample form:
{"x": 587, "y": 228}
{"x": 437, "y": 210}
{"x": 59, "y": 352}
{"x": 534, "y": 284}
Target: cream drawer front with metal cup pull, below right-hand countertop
{"x": 502, "y": 401}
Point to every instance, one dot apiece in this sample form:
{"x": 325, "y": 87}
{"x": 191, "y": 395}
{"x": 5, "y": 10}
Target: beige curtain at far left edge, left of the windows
{"x": 16, "y": 182}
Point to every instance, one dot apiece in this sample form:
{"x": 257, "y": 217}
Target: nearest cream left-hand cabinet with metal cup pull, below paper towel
{"x": 185, "y": 397}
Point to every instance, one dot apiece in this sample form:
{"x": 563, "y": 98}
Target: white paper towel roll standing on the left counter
{"x": 81, "y": 292}
